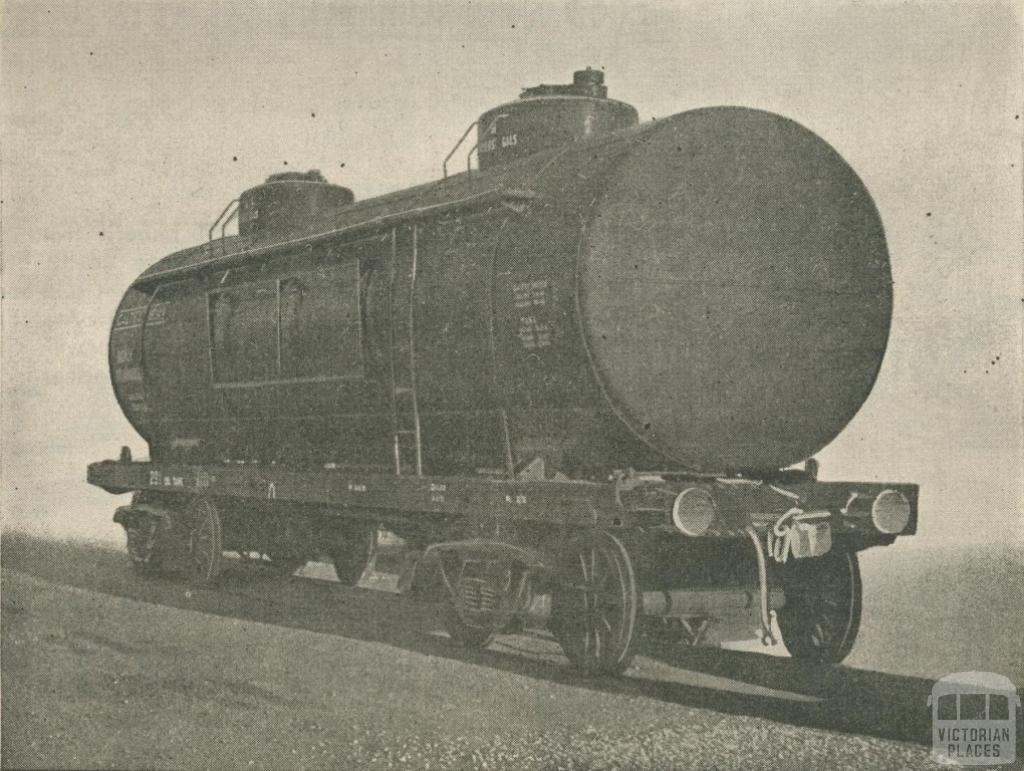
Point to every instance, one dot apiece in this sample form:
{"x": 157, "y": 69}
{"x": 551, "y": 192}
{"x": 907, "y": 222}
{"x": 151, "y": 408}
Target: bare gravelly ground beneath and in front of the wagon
{"x": 105, "y": 670}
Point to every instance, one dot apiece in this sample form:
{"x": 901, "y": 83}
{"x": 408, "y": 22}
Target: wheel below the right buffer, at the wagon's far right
{"x": 822, "y": 615}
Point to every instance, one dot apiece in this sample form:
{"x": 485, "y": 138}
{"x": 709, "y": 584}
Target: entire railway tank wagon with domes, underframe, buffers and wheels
{"x": 572, "y": 378}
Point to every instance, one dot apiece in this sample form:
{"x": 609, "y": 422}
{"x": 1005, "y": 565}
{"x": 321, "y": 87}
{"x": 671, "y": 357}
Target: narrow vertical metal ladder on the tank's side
{"x": 408, "y": 440}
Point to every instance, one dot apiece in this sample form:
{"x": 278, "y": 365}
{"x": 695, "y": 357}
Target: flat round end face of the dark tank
{"x": 735, "y": 290}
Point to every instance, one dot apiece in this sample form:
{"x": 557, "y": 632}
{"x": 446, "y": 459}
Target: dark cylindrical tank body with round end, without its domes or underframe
{"x": 709, "y": 292}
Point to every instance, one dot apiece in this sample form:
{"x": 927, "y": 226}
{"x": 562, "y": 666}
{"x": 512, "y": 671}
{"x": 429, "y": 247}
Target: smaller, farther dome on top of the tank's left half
{"x": 290, "y": 201}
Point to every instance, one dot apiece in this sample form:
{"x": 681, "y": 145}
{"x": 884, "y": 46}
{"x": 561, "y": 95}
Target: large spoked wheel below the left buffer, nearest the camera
{"x": 594, "y": 609}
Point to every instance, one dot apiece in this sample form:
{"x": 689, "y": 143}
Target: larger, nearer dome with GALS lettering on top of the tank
{"x": 547, "y": 116}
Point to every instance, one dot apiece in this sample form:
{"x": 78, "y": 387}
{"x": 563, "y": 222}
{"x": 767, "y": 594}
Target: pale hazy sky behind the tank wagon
{"x": 122, "y": 123}
